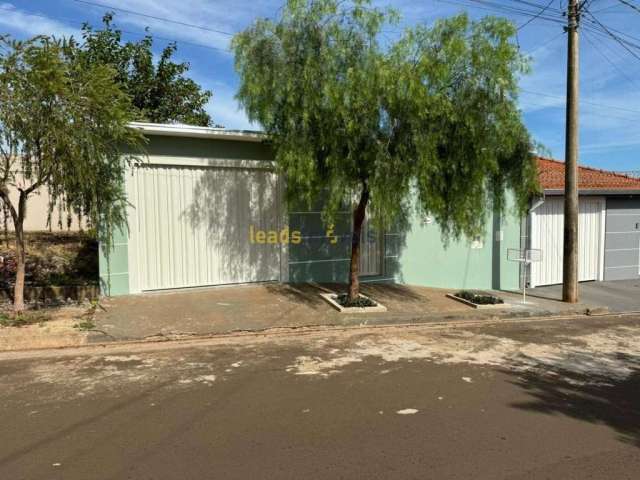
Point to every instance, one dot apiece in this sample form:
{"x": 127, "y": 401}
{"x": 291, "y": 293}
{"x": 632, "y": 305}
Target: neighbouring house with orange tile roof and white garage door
{"x": 609, "y": 225}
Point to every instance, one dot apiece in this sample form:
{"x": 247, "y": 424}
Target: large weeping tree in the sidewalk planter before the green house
{"x": 429, "y": 122}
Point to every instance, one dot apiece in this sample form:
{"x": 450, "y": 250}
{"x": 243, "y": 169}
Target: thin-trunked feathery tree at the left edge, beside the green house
{"x": 62, "y": 126}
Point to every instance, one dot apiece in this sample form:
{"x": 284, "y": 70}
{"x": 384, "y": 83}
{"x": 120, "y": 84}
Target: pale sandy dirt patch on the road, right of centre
{"x": 599, "y": 356}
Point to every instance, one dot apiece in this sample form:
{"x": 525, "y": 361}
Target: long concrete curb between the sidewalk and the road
{"x": 278, "y": 332}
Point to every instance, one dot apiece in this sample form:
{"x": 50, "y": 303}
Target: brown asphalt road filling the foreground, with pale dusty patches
{"x": 548, "y": 400}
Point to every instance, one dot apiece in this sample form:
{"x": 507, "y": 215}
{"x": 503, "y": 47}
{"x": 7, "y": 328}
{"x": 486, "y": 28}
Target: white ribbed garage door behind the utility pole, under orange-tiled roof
{"x": 547, "y": 235}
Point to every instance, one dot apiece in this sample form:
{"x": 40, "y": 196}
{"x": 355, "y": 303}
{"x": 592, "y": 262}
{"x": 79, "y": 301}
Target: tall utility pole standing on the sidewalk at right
{"x": 571, "y": 209}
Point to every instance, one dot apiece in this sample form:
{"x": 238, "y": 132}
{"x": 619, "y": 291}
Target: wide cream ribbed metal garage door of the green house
{"x": 199, "y": 225}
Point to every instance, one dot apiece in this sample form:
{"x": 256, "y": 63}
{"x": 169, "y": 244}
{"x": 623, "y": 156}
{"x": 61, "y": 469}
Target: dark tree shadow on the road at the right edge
{"x": 594, "y": 398}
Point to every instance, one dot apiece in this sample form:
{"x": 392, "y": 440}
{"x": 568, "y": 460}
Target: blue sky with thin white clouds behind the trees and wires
{"x": 609, "y": 78}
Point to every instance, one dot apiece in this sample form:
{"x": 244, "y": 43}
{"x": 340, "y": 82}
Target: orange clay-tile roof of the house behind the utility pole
{"x": 551, "y": 175}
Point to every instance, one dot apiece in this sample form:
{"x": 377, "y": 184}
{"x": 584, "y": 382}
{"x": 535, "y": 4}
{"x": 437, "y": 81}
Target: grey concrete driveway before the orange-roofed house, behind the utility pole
{"x": 618, "y": 296}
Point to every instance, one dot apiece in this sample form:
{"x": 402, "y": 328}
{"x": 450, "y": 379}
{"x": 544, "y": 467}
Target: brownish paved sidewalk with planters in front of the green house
{"x": 268, "y": 306}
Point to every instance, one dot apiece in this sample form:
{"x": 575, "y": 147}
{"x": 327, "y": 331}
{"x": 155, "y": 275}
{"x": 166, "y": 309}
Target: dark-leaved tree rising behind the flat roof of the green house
{"x": 160, "y": 92}
